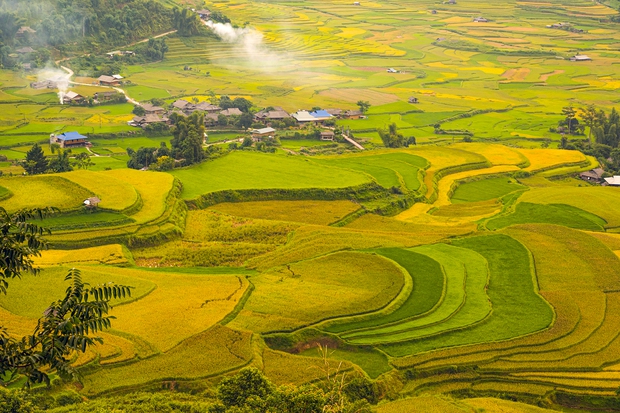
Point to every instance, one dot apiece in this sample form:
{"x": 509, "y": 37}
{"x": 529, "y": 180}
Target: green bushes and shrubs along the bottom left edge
{"x": 249, "y": 391}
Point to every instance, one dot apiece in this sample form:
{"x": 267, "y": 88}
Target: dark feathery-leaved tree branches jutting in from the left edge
{"x": 67, "y": 325}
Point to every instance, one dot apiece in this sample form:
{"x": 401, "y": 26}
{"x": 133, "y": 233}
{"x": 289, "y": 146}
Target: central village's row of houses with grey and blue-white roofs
{"x": 157, "y": 114}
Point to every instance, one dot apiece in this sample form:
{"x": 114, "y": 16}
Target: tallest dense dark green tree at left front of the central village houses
{"x": 188, "y": 135}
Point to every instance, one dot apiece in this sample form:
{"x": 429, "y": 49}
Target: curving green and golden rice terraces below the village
{"x": 430, "y": 291}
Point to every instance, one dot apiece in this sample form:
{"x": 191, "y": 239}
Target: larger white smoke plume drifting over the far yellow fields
{"x": 250, "y": 43}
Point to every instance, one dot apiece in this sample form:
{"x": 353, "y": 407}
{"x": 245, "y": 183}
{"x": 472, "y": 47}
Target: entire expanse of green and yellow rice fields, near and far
{"x": 430, "y": 269}
